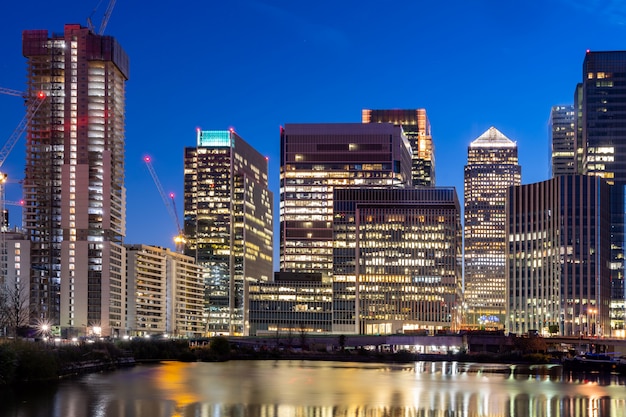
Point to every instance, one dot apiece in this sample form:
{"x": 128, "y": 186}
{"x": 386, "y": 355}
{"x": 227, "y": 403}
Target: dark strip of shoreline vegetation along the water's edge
{"x": 27, "y": 362}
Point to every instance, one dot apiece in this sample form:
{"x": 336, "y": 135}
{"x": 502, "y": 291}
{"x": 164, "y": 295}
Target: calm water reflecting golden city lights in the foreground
{"x": 320, "y": 389}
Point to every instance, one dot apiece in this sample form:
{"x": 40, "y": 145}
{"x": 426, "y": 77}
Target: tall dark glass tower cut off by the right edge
{"x": 603, "y": 151}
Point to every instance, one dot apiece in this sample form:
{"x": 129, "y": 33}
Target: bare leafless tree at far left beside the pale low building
{"x": 14, "y": 307}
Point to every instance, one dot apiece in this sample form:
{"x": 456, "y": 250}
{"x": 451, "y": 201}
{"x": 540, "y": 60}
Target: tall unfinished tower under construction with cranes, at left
{"x": 74, "y": 196}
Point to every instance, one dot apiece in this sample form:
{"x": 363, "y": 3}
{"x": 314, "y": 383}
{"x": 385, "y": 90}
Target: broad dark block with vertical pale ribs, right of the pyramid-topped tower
{"x": 558, "y": 240}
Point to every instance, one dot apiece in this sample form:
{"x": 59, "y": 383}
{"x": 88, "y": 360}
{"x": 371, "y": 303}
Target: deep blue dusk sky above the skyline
{"x": 256, "y": 65}
